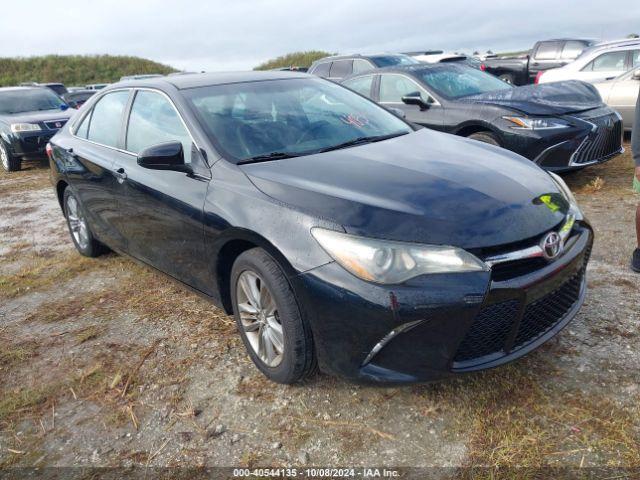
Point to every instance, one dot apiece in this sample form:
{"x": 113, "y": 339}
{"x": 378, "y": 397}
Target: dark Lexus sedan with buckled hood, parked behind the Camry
{"x": 560, "y": 126}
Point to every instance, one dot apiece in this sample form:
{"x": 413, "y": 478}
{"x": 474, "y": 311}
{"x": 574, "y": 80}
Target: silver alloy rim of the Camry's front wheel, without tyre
{"x": 259, "y": 317}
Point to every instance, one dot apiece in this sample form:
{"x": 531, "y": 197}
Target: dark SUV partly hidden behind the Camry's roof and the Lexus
{"x": 339, "y": 67}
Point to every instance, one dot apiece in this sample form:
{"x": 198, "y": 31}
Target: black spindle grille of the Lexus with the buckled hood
{"x": 606, "y": 141}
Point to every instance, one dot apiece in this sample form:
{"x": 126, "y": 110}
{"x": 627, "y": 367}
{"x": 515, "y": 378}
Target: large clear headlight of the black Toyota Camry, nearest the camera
{"x": 389, "y": 262}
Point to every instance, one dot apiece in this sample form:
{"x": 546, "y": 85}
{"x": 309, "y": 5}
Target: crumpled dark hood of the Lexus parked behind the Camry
{"x": 557, "y": 98}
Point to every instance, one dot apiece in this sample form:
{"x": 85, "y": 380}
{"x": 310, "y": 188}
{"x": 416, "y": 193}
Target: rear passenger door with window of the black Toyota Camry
{"x": 92, "y": 154}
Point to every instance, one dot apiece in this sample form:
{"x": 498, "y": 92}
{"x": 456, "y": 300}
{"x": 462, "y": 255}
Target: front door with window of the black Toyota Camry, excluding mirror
{"x": 165, "y": 208}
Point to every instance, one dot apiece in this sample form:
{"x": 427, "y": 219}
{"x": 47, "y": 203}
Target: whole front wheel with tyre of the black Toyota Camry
{"x": 272, "y": 327}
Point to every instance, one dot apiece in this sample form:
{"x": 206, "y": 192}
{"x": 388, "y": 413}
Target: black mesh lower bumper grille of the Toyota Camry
{"x": 496, "y": 323}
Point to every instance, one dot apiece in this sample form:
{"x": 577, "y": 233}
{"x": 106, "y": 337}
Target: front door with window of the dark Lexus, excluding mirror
{"x": 393, "y": 86}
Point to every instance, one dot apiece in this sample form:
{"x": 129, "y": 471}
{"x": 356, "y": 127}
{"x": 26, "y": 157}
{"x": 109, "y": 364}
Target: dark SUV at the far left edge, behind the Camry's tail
{"x": 29, "y": 117}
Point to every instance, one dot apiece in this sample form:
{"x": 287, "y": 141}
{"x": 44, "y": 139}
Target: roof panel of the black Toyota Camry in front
{"x": 195, "y": 80}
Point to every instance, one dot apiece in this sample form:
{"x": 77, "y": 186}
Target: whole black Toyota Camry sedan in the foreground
{"x": 337, "y": 234}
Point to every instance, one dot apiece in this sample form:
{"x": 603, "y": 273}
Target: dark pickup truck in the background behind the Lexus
{"x": 543, "y": 56}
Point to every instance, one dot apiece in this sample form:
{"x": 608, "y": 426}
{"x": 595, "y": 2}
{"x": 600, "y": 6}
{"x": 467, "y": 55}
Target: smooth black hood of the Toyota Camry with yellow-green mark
{"x": 425, "y": 187}
